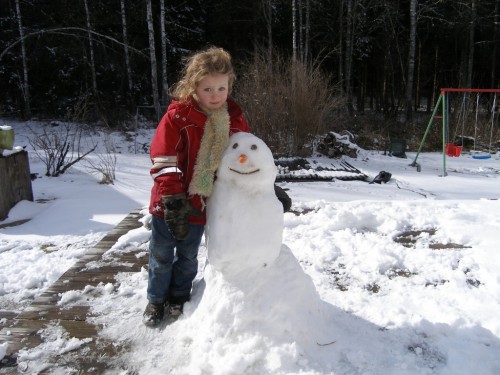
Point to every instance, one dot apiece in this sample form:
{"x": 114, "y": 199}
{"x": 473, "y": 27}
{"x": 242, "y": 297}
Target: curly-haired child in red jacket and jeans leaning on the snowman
{"x": 186, "y": 151}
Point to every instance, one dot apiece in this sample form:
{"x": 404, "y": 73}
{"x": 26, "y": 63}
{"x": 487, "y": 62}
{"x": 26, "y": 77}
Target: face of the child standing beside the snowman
{"x": 212, "y": 91}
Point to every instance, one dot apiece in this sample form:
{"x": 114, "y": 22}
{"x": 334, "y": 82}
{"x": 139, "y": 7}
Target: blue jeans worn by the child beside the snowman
{"x": 172, "y": 277}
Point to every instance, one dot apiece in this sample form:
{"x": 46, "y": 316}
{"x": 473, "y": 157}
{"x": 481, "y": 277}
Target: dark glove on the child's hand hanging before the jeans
{"x": 176, "y": 213}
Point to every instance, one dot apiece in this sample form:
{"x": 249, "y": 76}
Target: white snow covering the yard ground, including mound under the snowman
{"x": 394, "y": 278}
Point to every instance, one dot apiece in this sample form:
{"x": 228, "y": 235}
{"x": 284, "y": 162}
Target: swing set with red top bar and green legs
{"x": 449, "y": 146}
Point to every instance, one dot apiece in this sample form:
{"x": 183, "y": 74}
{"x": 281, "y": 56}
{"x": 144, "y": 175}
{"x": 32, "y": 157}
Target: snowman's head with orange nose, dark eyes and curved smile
{"x": 247, "y": 161}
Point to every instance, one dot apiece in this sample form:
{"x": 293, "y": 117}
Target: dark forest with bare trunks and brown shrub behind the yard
{"x": 305, "y": 67}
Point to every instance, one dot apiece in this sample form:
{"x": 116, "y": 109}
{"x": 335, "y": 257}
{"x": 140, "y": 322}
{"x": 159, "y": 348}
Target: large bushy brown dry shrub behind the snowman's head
{"x": 287, "y": 103}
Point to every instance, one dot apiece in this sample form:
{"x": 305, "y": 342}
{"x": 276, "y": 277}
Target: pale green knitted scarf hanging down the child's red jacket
{"x": 213, "y": 143}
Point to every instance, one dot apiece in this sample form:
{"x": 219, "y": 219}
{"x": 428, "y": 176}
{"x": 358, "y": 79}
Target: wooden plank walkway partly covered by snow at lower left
{"x": 21, "y": 331}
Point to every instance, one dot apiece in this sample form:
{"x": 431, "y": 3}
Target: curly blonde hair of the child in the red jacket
{"x": 198, "y": 66}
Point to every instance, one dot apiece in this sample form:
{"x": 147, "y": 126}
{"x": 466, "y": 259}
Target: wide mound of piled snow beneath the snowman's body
{"x": 278, "y": 302}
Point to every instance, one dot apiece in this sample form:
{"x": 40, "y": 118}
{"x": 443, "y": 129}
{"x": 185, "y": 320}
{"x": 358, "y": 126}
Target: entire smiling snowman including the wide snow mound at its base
{"x": 254, "y": 291}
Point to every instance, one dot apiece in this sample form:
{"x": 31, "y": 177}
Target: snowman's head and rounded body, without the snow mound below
{"x": 244, "y": 217}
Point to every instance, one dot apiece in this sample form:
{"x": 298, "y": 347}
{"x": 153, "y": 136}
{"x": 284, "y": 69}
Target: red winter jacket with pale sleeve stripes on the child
{"x": 174, "y": 149}
